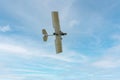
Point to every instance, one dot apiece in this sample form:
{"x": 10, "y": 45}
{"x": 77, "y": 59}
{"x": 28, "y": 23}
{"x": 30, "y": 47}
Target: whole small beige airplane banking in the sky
{"x": 58, "y": 33}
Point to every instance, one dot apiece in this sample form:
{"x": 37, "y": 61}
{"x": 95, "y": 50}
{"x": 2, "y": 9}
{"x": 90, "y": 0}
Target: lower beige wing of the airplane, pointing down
{"x": 58, "y": 44}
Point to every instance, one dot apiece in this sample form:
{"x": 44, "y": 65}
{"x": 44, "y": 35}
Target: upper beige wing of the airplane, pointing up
{"x": 55, "y": 21}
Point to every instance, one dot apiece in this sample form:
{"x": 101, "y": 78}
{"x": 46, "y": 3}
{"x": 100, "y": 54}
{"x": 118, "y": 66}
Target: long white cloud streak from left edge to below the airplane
{"x": 24, "y": 51}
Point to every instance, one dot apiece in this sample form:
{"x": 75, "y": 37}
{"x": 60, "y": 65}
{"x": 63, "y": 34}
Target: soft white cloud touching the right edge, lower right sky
{"x": 110, "y": 59}
